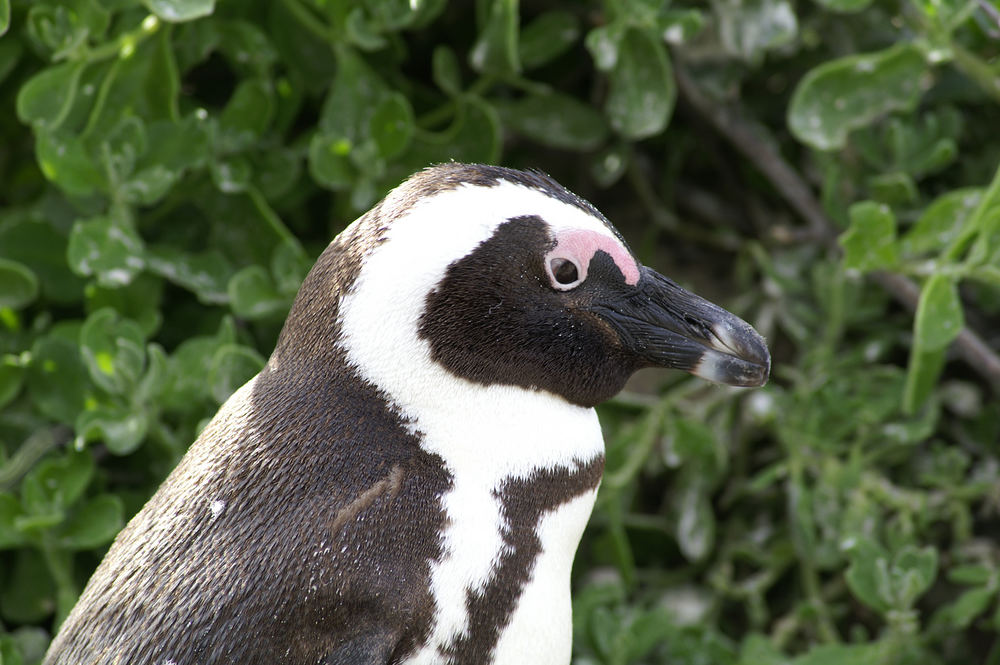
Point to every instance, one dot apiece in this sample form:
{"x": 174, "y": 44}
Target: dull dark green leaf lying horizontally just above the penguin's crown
{"x": 556, "y": 120}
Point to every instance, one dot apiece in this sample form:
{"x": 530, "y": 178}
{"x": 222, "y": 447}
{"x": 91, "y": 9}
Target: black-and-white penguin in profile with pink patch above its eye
{"x": 407, "y": 479}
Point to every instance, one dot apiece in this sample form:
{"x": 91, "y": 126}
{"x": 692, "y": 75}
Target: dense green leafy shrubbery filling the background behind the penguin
{"x": 825, "y": 168}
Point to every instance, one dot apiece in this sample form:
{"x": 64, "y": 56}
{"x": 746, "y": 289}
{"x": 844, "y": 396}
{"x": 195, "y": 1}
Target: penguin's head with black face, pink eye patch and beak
{"x": 504, "y": 278}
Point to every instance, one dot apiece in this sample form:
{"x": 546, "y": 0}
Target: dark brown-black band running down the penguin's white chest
{"x": 523, "y": 503}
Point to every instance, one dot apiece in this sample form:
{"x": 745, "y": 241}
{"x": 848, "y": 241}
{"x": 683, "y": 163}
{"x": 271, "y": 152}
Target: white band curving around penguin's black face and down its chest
{"x": 484, "y": 434}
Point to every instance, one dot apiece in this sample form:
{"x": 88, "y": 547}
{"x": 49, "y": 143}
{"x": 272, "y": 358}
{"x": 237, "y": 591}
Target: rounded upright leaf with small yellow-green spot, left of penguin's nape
{"x": 113, "y": 351}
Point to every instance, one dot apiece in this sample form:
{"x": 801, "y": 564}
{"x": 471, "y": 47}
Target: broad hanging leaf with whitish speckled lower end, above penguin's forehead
{"x": 642, "y": 91}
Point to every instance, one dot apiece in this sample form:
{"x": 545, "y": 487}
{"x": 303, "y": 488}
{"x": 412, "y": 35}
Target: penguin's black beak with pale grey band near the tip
{"x": 667, "y": 326}
